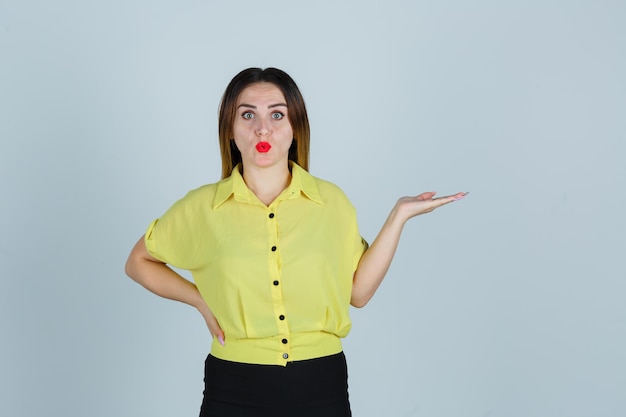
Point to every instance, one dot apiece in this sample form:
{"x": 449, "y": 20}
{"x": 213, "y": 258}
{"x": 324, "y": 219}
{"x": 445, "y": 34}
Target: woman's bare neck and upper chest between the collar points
{"x": 267, "y": 183}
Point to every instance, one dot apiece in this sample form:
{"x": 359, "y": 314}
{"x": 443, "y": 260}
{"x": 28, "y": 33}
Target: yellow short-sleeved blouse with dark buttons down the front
{"x": 278, "y": 278}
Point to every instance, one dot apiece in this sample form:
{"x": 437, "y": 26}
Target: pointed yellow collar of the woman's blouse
{"x": 302, "y": 184}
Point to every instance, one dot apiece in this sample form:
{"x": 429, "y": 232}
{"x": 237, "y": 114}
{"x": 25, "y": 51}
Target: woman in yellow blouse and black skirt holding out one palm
{"x": 276, "y": 257}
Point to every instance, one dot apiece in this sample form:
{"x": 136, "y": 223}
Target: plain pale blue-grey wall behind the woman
{"x": 509, "y": 303}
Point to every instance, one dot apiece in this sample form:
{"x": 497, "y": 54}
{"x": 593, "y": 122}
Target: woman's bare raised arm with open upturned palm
{"x": 376, "y": 260}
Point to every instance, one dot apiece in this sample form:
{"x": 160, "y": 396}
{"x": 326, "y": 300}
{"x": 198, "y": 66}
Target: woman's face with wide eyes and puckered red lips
{"x": 262, "y": 130}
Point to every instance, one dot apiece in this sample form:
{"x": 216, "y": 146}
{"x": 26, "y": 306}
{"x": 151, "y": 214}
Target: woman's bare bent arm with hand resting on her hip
{"x": 160, "y": 279}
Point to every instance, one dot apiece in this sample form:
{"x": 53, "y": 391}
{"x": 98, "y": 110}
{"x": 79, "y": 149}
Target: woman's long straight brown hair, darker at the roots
{"x": 299, "y": 150}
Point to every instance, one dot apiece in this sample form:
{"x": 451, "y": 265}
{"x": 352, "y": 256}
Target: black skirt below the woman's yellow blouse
{"x": 310, "y": 388}
